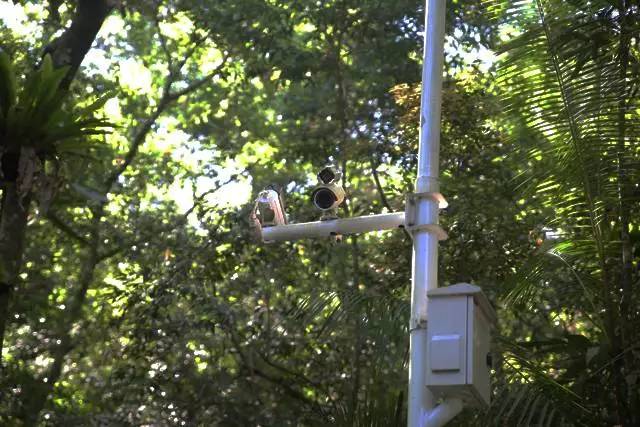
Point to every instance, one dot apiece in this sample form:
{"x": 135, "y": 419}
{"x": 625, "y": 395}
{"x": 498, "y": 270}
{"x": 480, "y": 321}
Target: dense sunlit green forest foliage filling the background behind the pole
{"x": 134, "y": 136}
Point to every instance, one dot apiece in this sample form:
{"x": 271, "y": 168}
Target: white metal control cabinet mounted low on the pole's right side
{"x": 459, "y": 325}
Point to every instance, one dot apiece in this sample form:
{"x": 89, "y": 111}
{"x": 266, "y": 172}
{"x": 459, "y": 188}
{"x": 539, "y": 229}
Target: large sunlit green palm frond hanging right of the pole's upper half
{"x": 565, "y": 85}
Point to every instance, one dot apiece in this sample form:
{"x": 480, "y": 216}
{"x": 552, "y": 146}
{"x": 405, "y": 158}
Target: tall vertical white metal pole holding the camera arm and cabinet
{"x": 425, "y": 243}
